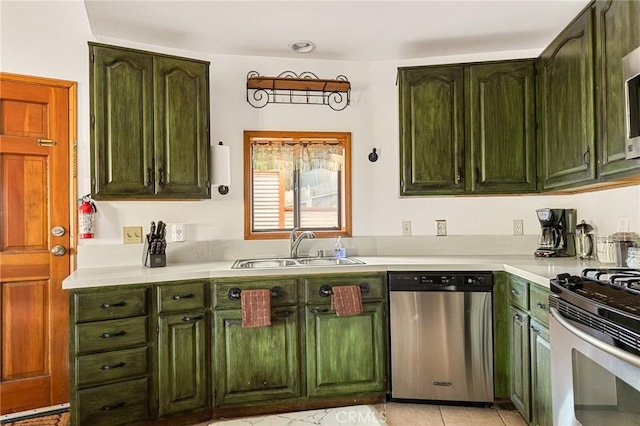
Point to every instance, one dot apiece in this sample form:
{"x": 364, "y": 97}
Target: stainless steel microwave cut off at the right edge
{"x": 631, "y": 74}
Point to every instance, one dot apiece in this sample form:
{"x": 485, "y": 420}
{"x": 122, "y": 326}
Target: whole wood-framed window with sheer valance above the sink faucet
{"x": 297, "y": 179}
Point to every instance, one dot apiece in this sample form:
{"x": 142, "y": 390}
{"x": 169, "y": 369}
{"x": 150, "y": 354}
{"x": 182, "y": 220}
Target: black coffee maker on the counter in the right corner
{"x": 557, "y": 232}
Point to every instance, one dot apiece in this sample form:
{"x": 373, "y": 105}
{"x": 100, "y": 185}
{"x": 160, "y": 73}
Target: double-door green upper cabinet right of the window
{"x": 468, "y": 128}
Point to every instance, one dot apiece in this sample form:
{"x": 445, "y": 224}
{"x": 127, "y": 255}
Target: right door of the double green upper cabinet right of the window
{"x": 501, "y": 127}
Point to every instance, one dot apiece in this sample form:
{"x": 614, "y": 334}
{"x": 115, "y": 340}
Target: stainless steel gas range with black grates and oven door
{"x": 595, "y": 347}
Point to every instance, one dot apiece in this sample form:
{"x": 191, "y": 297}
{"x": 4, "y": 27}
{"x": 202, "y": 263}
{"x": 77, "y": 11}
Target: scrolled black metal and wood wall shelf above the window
{"x": 291, "y": 88}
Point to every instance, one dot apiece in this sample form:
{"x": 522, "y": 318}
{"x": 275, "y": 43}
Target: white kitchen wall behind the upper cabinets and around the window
{"x": 49, "y": 39}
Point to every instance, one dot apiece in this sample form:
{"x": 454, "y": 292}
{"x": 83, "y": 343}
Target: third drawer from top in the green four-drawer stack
{"x": 109, "y": 366}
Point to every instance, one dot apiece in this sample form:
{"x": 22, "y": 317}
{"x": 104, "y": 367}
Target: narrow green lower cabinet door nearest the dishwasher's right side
{"x": 519, "y": 361}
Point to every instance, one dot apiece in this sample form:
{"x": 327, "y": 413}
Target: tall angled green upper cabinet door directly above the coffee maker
{"x": 566, "y": 107}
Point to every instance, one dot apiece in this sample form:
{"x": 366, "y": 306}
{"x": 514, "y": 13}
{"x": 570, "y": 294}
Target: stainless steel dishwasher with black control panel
{"x": 441, "y": 334}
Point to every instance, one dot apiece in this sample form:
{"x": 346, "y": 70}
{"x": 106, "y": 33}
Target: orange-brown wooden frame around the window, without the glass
{"x": 345, "y": 137}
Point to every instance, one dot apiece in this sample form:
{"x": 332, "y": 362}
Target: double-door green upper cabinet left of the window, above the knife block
{"x": 149, "y": 125}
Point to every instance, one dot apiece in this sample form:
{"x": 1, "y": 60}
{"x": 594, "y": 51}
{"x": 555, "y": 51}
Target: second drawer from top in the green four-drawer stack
{"x": 110, "y": 335}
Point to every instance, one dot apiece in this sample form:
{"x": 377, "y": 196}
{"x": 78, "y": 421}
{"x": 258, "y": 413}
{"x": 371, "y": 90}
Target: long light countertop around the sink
{"x": 537, "y": 270}
